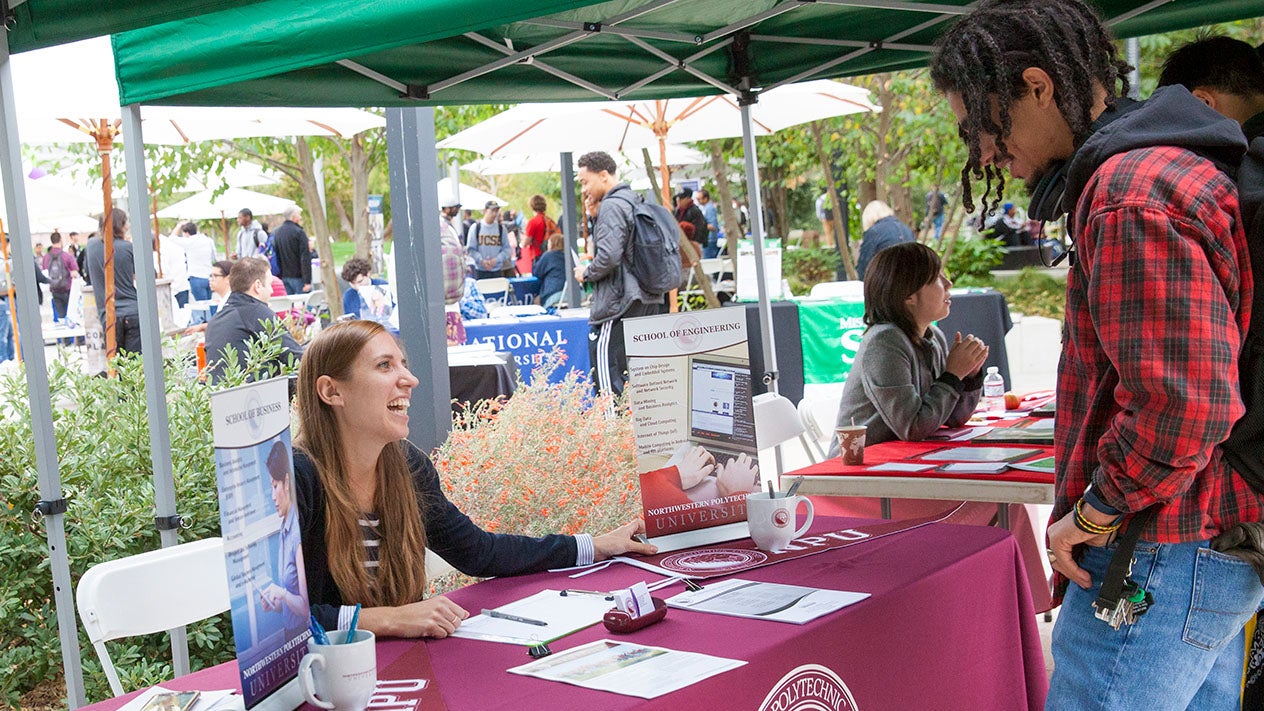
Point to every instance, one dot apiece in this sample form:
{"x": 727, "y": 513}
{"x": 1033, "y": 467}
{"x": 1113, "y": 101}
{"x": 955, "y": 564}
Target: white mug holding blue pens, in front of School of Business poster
{"x": 341, "y": 676}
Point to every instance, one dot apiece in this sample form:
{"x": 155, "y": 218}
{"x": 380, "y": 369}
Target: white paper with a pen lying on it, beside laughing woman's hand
{"x": 563, "y": 614}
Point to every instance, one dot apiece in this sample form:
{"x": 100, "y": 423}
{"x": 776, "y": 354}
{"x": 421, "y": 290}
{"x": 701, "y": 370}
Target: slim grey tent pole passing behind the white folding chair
{"x": 166, "y": 519}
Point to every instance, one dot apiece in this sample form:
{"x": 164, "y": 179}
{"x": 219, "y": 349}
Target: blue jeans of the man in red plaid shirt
{"x": 1186, "y": 652}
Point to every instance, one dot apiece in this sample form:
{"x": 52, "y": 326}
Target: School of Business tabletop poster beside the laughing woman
{"x": 260, "y": 522}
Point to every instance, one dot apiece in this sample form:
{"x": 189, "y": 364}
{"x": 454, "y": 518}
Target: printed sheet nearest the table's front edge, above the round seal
{"x": 631, "y": 670}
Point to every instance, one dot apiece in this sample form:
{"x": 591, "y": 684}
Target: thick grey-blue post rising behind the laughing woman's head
{"x": 414, "y": 165}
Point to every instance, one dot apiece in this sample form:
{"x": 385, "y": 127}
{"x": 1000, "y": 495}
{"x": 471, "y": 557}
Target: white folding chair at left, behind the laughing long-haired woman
{"x": 152, "y": 593}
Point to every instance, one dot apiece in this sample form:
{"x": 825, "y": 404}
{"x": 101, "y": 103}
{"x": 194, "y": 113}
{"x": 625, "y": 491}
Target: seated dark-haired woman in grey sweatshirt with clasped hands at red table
{"x": 907, "y": 380}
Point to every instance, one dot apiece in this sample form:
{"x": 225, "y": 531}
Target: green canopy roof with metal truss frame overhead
{"x": 442, "y": 53}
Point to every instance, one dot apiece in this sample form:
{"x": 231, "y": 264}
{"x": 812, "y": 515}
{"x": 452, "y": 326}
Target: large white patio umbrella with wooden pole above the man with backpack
{"x": 631, "y": 126}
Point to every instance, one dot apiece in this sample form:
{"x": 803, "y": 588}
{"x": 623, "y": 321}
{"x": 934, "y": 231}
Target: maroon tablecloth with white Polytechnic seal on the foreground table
{"x": 950, "y": 626}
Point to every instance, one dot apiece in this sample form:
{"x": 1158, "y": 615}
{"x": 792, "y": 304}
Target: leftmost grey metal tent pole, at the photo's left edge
{"x": 31, "y": 333}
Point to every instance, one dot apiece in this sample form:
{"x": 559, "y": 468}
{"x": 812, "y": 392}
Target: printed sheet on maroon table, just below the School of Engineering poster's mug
{"x": 767, "y": 602}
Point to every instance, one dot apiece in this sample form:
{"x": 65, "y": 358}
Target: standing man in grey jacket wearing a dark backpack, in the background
{"x": 636, "y": 264}
